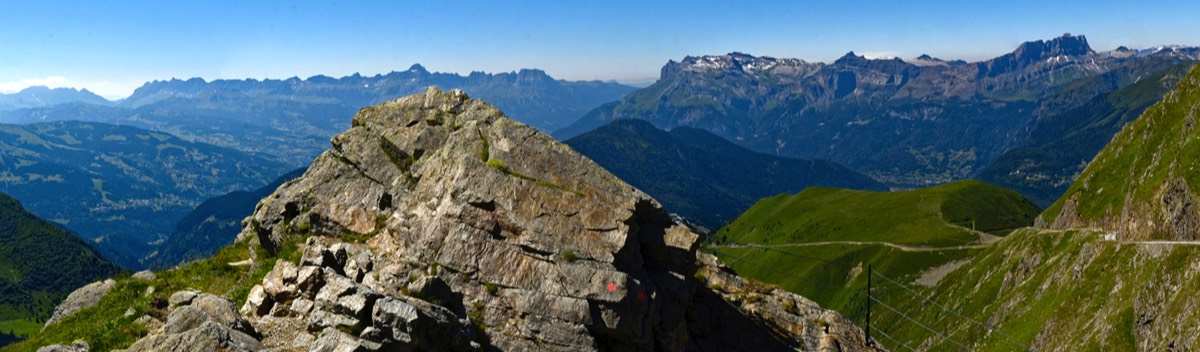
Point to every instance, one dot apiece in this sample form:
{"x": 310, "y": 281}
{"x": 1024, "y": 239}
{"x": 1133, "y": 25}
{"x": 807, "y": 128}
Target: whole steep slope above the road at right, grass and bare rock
{"x": 1141, "y": 184}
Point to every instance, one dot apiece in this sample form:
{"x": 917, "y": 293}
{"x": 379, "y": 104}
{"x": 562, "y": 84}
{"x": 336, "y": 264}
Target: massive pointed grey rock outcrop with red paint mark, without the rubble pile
{"x": 543, "y": 247}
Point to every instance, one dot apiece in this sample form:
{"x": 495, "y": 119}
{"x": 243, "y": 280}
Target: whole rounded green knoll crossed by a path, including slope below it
{"x": 818, "y": 243}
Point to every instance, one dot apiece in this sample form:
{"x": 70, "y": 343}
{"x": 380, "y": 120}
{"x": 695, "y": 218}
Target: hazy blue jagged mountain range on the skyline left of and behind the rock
{"x": 291, "y": 121}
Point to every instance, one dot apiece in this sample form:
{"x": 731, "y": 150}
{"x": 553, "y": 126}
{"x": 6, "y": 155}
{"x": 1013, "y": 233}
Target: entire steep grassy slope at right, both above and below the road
{"x": 1071, "y": 290}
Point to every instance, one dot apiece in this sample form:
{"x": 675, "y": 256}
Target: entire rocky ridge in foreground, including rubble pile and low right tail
{"x": 437, "y": 224}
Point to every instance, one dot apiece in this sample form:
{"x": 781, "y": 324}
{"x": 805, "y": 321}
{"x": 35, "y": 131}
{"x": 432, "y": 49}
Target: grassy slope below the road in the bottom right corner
{"x": 1058, "y": 291}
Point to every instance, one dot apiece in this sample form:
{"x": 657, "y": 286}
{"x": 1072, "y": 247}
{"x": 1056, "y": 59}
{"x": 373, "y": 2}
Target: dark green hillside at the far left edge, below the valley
{"x": 40, "y": 265}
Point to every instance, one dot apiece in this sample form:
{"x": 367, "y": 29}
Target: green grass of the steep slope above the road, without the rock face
{"x": 1157, "y": 148}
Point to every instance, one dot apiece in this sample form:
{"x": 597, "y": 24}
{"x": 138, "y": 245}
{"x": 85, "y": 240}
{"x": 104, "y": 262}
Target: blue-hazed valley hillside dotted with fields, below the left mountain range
{"x": 118, "y": 187}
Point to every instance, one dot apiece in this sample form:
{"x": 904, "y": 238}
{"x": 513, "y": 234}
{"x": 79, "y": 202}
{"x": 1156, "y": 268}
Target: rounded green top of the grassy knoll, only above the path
{"x": 919, "y": 218}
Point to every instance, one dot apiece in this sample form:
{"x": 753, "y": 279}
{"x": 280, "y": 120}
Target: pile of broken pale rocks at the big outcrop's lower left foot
{"x": 334, "y": 296}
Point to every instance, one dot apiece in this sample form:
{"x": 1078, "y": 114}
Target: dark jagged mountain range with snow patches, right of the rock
{"x": 903, "y": 122}
